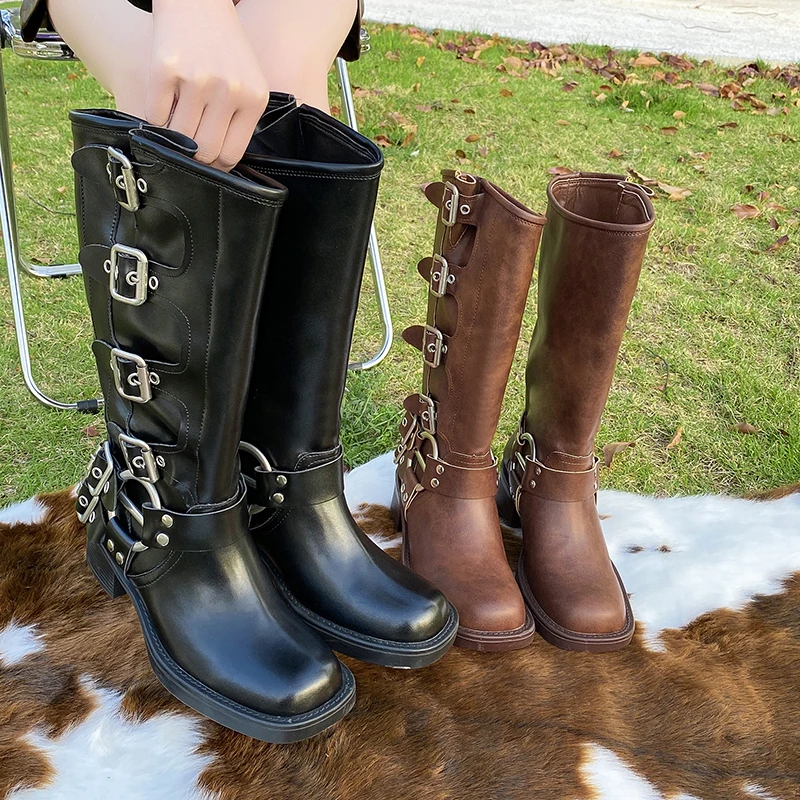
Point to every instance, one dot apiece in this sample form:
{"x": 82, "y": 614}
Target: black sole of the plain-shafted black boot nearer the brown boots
{"x": 362, "y": 646}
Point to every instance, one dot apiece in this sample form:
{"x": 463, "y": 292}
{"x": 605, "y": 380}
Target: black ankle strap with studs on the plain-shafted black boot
{"x": 309, "y": 487}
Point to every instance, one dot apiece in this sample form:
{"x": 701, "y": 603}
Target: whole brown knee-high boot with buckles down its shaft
{"x": 447, "y": 477}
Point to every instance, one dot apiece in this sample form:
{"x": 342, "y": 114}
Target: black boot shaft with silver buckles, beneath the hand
{"x": 174, "y": 275}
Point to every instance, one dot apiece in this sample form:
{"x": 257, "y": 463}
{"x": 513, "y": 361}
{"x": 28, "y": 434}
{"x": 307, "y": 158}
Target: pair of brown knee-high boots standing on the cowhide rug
{"x": 447, "y": 493}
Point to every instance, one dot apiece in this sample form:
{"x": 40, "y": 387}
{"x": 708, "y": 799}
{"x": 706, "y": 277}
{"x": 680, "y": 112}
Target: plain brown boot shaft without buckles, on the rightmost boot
{"x": 589, "y": 266}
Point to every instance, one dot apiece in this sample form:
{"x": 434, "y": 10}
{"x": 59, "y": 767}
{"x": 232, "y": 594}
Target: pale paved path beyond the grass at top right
{"x": 721, "y": 29}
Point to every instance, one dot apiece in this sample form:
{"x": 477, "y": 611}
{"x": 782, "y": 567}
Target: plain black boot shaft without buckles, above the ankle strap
{"x": 313, "y": 282}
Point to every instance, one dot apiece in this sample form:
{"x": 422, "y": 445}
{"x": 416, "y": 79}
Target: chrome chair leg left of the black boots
{"x": 15, "y": 263}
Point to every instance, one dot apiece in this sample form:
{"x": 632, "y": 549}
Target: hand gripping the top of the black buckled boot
{"x": 205, "y": 80}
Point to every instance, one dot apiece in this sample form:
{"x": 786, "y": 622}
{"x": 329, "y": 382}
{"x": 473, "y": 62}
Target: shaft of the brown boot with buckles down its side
{"x": 486, "y": 244}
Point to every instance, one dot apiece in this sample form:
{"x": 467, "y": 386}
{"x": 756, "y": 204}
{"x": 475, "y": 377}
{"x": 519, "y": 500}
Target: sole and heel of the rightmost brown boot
{"x": 547, "y": 628}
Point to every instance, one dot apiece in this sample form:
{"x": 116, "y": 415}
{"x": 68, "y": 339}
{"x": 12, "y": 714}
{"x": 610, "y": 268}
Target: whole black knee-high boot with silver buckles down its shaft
{"x": 174, "y": 256}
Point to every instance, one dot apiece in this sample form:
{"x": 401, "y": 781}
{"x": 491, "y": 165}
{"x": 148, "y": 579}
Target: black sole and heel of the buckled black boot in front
{"x": 201, "y": 698}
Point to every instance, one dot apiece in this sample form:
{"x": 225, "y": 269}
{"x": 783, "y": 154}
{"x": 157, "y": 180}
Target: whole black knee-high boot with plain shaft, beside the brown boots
{"x": 363, "y": 602}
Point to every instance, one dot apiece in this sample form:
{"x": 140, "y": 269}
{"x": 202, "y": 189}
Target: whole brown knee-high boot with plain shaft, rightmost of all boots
{"x": 592, "y": 253}
